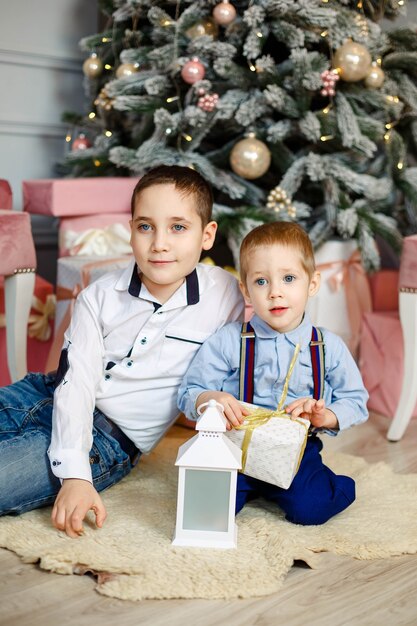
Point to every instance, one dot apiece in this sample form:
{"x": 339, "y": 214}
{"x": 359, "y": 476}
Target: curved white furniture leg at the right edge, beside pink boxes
{"x": 408, "y": 397}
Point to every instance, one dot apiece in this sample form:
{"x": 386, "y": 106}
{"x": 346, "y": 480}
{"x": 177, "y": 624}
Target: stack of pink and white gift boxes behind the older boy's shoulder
{"x": 94, "y": 235}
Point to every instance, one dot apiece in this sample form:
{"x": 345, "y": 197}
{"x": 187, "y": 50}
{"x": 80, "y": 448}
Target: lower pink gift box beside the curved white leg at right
{"x": 382, "y": 361}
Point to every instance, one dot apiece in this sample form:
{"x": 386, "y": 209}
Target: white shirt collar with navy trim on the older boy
{"x": 188, "y": 293}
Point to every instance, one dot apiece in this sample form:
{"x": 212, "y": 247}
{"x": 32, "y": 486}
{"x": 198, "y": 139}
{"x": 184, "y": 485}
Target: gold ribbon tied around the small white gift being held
{"x": 260, "y": 416}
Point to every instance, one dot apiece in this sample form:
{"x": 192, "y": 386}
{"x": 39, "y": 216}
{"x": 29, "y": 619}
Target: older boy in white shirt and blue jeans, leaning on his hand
{"x": 132, "y": 335}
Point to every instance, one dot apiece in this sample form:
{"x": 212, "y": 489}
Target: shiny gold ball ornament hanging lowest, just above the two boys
{"x": 250, "y": 158}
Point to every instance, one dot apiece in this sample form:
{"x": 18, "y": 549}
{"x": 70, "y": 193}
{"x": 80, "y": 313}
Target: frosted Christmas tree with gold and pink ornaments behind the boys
{"x": 299, "y": 110}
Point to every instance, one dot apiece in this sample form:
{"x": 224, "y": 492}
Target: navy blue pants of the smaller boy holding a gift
{"x": 315, "y": 495}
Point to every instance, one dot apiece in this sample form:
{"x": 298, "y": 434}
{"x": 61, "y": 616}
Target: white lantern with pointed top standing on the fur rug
{"x": 208, "y": 465}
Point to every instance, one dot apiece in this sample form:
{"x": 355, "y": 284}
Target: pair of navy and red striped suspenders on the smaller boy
{"x": 247, "y": 362}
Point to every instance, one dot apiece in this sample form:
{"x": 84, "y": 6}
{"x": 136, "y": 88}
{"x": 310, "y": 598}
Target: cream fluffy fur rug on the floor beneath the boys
{"x": 132, "y": 554}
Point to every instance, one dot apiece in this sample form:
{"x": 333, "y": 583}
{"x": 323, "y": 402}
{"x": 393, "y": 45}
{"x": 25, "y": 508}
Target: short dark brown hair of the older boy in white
{"x": 186, "y": 180}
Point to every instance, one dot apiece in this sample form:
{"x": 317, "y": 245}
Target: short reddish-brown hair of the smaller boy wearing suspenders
{"x": 284, "y": 233}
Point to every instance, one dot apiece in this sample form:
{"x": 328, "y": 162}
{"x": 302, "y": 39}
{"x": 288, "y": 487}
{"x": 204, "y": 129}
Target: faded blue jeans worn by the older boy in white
{"x": 26, "y": 480}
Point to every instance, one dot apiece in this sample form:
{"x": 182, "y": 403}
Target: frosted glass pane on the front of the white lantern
{"x": 206, "y": 500}
